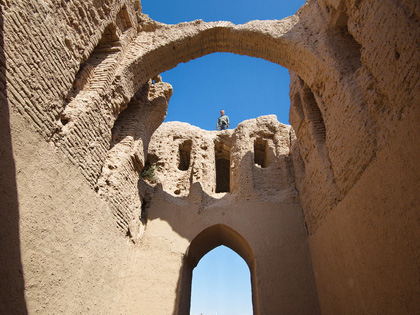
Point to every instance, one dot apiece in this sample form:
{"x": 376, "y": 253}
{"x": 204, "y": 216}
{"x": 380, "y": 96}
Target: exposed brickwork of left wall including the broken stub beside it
{"x": 62, "y": 62}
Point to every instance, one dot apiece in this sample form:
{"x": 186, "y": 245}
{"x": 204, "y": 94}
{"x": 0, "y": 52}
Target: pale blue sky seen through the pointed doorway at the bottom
{"x": 221, "y": 284}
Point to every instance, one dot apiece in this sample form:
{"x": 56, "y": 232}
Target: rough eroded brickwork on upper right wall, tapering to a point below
{"x": 359, "y": 100}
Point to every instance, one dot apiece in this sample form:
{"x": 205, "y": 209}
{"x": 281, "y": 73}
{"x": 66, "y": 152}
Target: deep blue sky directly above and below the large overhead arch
{"x": 243, "y": 86}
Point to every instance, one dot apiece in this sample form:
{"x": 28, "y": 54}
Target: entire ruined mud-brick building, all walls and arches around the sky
{"x": 74, "y": 76}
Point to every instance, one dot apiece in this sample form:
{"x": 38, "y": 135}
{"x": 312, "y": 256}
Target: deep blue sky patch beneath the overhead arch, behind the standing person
{"x": 245, "y": 87}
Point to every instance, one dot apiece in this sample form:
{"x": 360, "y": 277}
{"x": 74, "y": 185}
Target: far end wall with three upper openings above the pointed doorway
{"x": 260, "y": 206}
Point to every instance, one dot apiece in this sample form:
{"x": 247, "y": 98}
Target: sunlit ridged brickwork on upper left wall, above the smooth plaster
{"x": 46, "y": 43}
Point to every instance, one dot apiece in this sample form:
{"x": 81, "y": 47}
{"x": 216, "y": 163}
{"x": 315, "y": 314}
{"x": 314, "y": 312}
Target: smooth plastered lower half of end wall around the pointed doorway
{"x": 282, "y": 280}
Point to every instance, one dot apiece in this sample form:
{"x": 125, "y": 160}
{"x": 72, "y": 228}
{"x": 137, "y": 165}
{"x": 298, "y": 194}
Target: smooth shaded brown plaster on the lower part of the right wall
{"x": 366, "y": 252}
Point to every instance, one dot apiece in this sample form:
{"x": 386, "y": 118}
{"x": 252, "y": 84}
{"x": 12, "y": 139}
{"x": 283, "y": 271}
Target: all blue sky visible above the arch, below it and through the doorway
{"x": 246, "y": 88}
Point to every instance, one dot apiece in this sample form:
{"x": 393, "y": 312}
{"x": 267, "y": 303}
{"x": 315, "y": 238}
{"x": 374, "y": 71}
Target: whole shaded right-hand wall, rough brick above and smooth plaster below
{"x": 356, "y": 157}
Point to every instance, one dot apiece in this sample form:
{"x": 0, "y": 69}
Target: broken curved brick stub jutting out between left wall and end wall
{"x": 125, "y": 160}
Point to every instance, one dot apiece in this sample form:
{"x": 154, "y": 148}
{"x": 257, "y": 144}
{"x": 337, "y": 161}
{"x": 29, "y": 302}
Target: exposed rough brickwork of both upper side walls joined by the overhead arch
{"x": 73, "y": 68}
